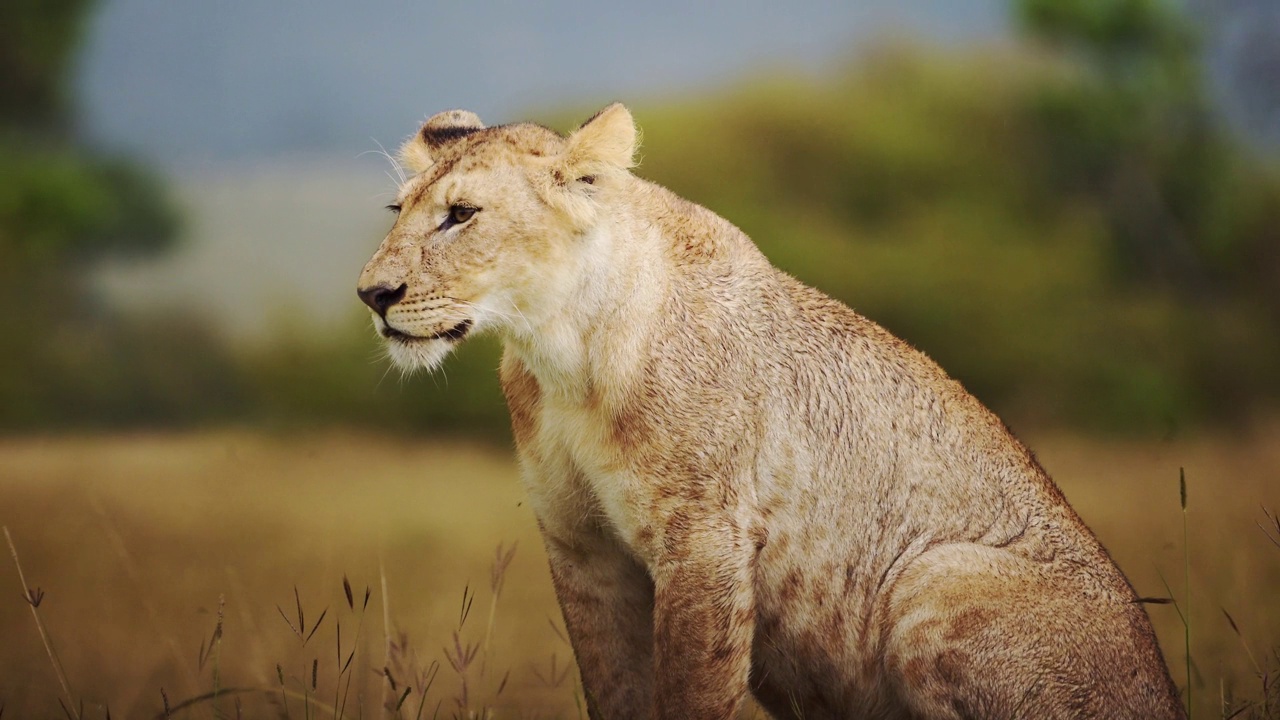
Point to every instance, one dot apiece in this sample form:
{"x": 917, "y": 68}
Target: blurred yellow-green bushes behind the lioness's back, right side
{"x": 1075, "y": 252}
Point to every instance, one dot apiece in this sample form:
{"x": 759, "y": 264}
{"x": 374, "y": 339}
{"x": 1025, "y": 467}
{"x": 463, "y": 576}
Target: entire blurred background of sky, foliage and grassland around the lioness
{"x": 1073, "y": 206}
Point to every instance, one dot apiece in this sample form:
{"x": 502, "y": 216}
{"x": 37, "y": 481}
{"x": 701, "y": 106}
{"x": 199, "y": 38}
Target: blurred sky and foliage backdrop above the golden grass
{"x": 1073, "y": 206}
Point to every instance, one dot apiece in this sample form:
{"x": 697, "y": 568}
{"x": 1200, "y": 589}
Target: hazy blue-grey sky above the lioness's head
{"x": 193, "y": 80}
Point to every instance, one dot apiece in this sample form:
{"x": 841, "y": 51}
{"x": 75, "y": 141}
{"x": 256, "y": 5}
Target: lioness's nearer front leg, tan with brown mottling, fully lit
{"x": 705, "y": 622}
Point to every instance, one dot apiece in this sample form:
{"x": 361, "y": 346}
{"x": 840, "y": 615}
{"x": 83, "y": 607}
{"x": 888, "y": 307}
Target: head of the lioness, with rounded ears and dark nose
{"x": 490, "y": 229}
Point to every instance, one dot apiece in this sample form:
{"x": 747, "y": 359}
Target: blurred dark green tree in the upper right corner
{"x": 1131, "y": 126}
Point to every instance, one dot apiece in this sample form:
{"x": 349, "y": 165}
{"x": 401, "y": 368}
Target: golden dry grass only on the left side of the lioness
{"x": 135, "y": 541}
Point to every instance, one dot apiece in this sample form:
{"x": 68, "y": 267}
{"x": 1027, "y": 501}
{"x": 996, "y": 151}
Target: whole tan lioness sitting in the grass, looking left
{"x": 742, "y": 484}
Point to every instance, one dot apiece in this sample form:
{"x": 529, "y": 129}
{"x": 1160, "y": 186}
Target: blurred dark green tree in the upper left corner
{"x": 61, "y": 204}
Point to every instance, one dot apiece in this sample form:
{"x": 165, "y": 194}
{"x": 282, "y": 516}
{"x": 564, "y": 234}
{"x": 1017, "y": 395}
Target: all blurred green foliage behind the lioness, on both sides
{"x": 1064, "y": 226}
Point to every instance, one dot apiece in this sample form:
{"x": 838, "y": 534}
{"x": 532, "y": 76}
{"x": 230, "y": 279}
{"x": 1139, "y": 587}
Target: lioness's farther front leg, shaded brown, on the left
{"x": 607, "y": 600}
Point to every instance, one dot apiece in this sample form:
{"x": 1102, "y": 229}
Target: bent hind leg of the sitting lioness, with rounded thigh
{"x": 981, "y": 632}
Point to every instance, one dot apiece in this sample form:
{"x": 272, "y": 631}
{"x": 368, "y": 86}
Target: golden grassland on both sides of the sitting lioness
{"x": 143, "y": 545}
